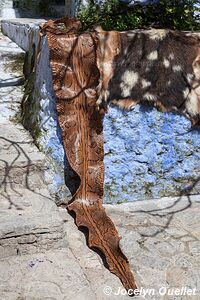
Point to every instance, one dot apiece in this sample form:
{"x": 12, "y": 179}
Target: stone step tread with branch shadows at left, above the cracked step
{"x": 21, "y": 163}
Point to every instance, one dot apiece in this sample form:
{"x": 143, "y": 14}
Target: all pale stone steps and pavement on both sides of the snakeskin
{"x": 44, "y": 256}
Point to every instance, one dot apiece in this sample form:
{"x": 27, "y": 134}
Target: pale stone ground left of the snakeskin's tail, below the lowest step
{"x": 74, "y": 272}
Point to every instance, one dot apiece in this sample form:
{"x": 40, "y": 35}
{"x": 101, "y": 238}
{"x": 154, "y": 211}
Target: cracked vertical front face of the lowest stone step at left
{"x": 30, "y": 233}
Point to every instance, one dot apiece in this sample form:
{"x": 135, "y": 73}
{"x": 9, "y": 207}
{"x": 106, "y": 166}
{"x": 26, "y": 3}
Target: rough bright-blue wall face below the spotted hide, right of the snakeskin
{"x": 149, "y": 154}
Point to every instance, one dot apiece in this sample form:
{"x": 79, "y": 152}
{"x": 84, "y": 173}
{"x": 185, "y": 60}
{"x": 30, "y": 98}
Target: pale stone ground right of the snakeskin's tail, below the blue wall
{"x": 162, "y": 239}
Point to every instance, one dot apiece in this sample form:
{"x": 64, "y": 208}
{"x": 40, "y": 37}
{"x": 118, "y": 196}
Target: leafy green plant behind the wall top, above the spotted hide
{"x": 113, "y": 15}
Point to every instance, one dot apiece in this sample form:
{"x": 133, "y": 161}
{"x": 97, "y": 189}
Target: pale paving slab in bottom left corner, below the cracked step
{"x": 54, "y": 275}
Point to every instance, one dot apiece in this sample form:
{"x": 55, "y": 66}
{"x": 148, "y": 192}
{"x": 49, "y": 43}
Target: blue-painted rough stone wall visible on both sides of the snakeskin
{"x": 148, "y": 154}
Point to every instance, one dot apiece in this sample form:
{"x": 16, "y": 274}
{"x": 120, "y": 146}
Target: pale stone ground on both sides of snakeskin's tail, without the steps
{"x": 157, "y": 238}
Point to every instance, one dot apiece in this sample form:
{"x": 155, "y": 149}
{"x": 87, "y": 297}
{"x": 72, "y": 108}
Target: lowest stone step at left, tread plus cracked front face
{"x": 29, "y": 222}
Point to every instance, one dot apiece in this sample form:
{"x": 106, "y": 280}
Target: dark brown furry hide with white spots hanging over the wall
{"x": 158, "y": 67}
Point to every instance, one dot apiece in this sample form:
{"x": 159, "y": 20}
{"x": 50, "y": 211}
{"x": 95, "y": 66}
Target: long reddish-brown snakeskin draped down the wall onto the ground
{"x": 75, "y": 79}
